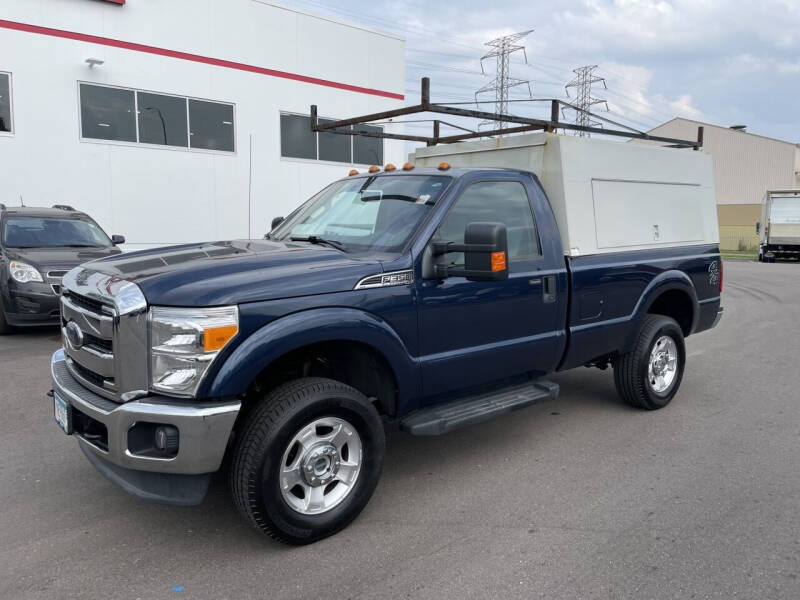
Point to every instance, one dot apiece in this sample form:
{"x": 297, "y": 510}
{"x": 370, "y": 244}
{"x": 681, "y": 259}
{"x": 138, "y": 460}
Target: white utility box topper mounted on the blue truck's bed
{"x": 607, "y": 196}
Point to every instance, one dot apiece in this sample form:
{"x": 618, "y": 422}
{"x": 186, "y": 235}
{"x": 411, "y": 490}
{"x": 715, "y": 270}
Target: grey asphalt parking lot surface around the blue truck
{"x": 582, "y": 497}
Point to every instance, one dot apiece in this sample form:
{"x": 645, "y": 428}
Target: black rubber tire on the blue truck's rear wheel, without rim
{"x": 631, "y": 370}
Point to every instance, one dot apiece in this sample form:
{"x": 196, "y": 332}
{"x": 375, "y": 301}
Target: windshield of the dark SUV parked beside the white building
{"x": 46, "y": 232}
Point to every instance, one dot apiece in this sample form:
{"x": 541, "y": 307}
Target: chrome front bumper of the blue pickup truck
{"x": 204, "y": 429}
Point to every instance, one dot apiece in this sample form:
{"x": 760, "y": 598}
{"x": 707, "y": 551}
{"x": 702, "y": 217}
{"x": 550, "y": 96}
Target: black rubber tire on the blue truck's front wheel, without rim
{"x": 260, "y": 447}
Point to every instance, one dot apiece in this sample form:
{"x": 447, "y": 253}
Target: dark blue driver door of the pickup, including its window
{"x": 475, "y": 332}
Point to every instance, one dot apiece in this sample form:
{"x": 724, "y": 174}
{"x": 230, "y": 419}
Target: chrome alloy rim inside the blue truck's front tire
{"x": 320, "y": 466}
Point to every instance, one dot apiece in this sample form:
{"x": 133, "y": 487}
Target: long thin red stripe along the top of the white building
{"x": 217, "y": 62}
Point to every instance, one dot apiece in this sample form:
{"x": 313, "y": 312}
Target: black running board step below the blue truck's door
{"x": 444, "y": 418}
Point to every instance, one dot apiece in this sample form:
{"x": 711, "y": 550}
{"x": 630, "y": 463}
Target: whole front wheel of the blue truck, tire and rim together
{"x": 308, "y": 460}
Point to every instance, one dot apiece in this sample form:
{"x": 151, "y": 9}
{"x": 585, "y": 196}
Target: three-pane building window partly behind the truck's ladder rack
{"x": 298, "y": 141}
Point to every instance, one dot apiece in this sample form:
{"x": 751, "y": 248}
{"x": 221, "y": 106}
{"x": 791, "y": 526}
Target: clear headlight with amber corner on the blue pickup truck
{"x": 184, "y": 342}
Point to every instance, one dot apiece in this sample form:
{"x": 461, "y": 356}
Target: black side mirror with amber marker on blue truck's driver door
{"x": 485, "y": 251}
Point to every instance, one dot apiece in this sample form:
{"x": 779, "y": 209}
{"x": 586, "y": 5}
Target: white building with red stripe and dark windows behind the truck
{"x": 177, "y": 121}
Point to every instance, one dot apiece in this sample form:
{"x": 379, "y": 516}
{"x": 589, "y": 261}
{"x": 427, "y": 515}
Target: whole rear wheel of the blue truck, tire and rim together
{"x": 649, "y": 376}
